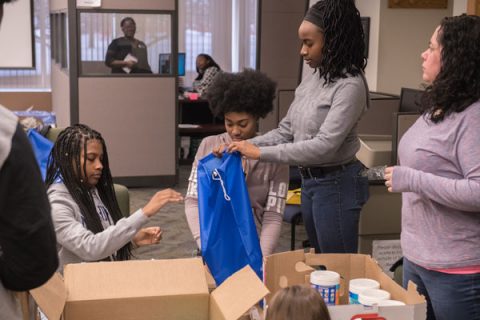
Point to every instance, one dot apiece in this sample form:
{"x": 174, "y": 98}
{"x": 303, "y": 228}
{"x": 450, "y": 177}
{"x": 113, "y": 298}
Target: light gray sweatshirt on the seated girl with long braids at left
{"x": 75, "y": 243}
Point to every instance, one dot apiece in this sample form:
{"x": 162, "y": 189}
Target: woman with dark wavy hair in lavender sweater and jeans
{"x": 439, "y": 175}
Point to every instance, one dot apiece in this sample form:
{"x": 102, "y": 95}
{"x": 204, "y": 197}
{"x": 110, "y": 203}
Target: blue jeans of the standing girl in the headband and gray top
{"x": 331, "y": 206}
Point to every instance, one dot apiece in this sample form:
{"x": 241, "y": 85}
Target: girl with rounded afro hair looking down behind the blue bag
{"x": 243, "y": 98}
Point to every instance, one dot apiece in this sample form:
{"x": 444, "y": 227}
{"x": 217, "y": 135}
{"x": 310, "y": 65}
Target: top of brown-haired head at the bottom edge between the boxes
{"x": 297, "y": 302}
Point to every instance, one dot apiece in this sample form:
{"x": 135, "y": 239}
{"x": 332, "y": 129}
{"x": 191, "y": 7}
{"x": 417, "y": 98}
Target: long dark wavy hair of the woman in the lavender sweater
{"x": 457, "y": 85}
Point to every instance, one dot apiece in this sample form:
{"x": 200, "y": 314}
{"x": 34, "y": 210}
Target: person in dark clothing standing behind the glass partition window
{"x": 127, "y": 54}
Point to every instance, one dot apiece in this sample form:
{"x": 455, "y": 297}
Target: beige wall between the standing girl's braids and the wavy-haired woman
{"x": 403, "y": 34}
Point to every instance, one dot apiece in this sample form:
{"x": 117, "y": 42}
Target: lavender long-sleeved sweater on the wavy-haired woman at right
{"x": 439, "y": 175}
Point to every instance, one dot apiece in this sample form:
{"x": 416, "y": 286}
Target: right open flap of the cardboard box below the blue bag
{"x": 236, "y": 295}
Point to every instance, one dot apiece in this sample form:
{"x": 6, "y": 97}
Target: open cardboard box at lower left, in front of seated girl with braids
{"x": 151, "y": 289}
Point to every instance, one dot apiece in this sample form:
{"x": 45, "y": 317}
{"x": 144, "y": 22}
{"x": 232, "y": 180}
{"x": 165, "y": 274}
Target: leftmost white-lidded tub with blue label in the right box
{"x": 327, "y": 283}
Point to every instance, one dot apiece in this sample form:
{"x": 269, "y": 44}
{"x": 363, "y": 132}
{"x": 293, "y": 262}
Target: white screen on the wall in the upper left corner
{"x": 16, "y": 36}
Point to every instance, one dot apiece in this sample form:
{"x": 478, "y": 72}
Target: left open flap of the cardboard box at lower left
{"x": 51, "y": 297}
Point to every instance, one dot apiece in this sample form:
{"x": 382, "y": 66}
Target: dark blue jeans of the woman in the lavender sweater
{"x": 449, "y": 296}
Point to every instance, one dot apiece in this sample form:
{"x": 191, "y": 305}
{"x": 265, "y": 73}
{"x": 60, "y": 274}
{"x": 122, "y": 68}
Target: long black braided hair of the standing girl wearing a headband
{"x": 343, "y": 50}
